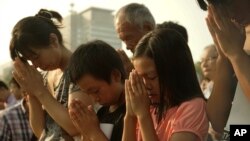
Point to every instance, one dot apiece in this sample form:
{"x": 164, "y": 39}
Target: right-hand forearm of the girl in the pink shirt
{"x": 147, "y": 128}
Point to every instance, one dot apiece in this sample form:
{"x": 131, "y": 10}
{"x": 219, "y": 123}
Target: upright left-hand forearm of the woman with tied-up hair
{"x": 36, "y": 114}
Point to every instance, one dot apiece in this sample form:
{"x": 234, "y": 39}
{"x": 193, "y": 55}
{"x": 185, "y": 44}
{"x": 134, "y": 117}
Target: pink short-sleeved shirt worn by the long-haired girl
{"x": 190, "y": 116}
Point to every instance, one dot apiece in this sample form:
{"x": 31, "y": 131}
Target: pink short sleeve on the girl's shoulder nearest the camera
{"x": 191, "y": 117}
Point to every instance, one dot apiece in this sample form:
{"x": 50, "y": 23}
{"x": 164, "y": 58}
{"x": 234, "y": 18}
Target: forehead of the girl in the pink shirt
{"x": 144, "y": 65}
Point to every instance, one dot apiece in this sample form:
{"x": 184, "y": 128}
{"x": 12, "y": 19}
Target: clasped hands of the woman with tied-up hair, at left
{"x": 29, "y": 79}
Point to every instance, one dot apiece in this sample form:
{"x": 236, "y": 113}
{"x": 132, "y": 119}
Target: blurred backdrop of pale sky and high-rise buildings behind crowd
{"x": 86, "y": 20}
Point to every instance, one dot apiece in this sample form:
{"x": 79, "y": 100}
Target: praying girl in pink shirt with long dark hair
{"x": 164, "y": 101}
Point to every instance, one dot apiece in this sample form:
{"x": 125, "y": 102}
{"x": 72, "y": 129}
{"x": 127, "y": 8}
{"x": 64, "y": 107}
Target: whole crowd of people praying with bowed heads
{"x": 97, "y": 93}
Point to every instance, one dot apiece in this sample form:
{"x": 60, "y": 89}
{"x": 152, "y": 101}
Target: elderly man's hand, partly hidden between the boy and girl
{"x": 126, "y": 61}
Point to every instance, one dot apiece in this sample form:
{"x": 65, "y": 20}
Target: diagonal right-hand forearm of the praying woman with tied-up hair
{"x": 57, "y": 111}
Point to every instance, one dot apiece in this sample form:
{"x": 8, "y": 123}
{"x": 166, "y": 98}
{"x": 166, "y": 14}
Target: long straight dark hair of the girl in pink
{"x": 175, "y": 67}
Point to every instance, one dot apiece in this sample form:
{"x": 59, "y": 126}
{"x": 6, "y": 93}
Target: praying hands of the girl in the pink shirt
{"x": 138, "y": 97}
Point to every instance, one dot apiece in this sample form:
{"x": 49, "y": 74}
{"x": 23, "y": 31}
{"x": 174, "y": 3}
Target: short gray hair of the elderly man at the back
{"x": 136, "y": 14}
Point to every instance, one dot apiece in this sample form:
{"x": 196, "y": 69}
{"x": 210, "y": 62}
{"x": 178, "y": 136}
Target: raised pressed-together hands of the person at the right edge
{"x": 228, "y": 37}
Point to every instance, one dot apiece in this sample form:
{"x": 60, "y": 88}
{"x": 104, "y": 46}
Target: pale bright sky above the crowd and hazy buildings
{"x": 185, "y": 12}
